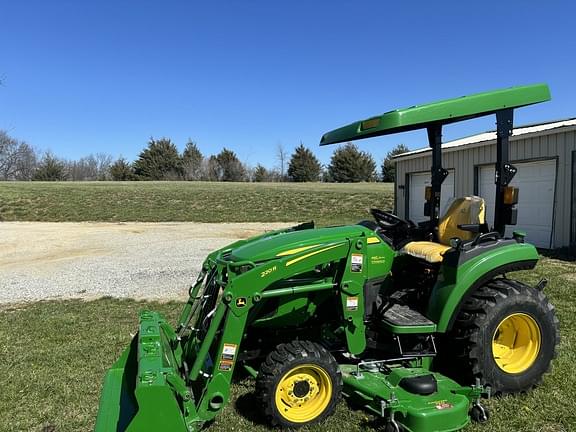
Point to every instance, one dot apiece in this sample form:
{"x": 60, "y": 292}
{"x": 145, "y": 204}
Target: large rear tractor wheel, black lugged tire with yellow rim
{"x": 505, "y": 335}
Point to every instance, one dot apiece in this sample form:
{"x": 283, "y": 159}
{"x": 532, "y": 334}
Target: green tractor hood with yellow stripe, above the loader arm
{"x": 289, "y": 243}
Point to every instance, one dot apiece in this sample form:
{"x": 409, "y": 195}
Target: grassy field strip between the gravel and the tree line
{"x": 326, "y": 203}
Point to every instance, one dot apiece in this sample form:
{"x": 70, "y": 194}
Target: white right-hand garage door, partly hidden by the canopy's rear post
{"x": 536, "y": 181}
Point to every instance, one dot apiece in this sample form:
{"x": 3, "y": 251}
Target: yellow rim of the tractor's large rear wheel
{"x": 516, "y": 343}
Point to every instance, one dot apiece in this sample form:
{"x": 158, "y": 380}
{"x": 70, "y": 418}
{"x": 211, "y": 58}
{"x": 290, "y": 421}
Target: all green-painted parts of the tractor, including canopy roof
{"x": 284, "y": 280}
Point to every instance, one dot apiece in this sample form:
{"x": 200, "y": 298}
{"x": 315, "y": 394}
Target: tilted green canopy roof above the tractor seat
{"x": 443, "y": 112}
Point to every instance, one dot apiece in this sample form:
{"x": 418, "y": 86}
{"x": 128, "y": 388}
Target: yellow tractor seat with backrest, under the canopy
{"x": 466, "y": 210}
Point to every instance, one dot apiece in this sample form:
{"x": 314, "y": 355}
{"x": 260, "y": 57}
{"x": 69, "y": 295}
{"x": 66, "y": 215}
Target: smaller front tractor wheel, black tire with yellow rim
{"x": 299, "y": 384}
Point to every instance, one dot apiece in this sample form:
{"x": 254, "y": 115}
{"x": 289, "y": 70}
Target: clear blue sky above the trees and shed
{"x": 84, "y": 77}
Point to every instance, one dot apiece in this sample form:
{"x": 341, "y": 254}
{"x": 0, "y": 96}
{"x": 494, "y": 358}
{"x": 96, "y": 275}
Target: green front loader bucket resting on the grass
{"x": 141, "y": 390}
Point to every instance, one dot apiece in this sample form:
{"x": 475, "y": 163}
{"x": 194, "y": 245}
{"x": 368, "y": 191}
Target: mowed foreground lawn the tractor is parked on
{"x": 54, "y": 355}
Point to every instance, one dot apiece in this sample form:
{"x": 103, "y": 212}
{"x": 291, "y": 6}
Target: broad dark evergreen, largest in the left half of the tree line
{"x": 159, "y": 161}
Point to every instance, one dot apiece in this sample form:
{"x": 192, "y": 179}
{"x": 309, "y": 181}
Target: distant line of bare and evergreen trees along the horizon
{"x": 161, "y": 160}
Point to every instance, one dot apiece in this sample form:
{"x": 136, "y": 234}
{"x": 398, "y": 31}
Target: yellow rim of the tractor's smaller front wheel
{"x": 303, "y": 393}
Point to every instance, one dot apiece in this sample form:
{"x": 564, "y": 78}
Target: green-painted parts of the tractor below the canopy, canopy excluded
{"x": 146, "y": 387}
